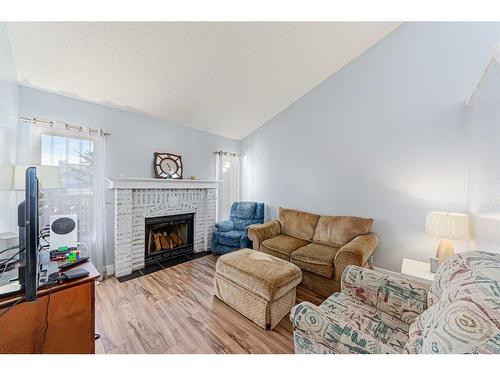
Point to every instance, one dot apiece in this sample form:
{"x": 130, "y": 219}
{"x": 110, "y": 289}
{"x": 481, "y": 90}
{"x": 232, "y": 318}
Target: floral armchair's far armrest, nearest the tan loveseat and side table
{"x": 399, "y": 298}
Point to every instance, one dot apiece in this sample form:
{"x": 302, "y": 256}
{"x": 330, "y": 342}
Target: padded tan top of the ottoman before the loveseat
{"x": 261, "y": 274}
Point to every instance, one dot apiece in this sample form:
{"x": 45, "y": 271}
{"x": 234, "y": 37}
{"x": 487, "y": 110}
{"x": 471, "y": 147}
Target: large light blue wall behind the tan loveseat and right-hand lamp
{"x": 382, "y": 138}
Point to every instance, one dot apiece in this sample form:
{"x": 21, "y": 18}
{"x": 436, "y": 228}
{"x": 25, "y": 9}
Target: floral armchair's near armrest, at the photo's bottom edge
{"x": 339, "y": 335}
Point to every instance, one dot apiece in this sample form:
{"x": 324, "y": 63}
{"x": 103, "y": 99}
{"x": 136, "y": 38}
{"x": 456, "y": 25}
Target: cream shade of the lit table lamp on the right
{"x": 449, "y": 225}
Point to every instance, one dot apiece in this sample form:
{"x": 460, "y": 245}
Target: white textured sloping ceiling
{"x": 224, "y": 78}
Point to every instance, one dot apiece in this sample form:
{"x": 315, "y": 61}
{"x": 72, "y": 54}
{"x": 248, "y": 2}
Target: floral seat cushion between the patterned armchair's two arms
{"x": 367, "y": 319}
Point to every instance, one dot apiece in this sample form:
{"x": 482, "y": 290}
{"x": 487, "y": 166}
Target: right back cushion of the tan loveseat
{"x": 340, "y": 230}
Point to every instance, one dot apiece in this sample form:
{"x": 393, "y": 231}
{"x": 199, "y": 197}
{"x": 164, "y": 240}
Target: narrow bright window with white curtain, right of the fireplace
{"x": 228, "y": 172}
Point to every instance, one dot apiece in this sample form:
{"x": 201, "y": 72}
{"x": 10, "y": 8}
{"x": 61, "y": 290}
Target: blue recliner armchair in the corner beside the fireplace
{"x": 231, "y": 234}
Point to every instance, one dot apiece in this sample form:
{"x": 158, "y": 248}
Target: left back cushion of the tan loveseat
{"x": 297, "y": 223}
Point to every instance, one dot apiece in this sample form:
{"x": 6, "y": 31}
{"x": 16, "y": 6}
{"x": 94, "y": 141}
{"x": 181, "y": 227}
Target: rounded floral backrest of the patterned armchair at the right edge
{"x": 464, "y": 312}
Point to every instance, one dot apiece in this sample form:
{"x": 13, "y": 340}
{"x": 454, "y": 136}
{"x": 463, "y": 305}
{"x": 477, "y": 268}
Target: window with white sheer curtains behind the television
{"x": 79, "y": 154}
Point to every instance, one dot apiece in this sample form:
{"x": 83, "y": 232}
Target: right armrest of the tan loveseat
{"x": 355, "y": 253}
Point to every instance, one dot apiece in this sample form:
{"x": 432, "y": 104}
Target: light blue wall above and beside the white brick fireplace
{"x": 134, "y": 138}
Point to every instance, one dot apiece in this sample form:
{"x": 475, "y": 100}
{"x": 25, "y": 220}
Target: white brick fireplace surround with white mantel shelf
{"x": 139, "y": 198}
